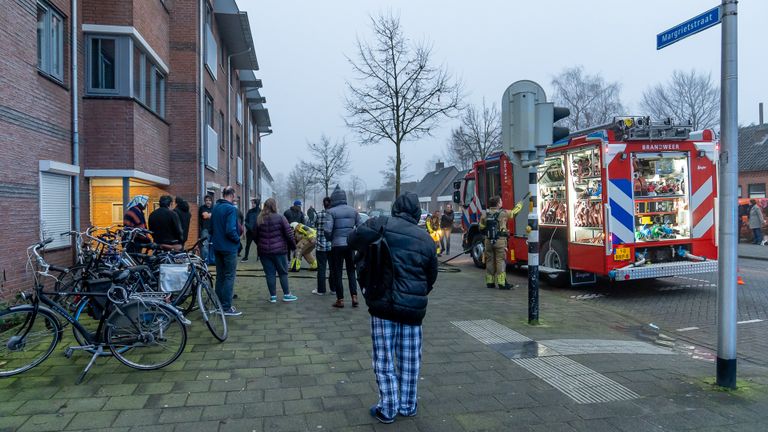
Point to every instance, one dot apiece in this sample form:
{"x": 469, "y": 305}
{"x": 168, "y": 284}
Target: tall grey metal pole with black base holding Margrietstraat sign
{"x": 729, "y": 177}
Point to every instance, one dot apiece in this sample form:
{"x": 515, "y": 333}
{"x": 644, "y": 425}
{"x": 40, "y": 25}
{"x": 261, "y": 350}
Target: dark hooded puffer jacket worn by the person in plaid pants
{"x": 413, "y": 258}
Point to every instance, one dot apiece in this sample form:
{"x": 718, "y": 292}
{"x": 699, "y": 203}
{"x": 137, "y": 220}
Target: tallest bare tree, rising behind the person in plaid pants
{"x": 397, "y": 94}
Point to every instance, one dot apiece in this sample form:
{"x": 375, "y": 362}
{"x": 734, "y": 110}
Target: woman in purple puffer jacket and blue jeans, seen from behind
{"x": 274, "y": 239}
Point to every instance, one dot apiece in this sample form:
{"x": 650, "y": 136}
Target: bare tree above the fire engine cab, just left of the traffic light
{"x": 478, "y": 136}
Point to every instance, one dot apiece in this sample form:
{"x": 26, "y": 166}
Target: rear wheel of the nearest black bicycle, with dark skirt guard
{"x": 145, "y": 334}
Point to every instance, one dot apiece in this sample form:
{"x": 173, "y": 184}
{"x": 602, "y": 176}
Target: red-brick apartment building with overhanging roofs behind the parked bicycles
{"x": 165, "y": 101}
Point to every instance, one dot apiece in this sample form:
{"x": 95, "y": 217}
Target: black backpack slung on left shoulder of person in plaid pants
{"x": 375, "y": 269}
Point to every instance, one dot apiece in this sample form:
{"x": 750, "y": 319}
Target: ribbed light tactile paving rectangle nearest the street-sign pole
{"x": 578, "y": 382}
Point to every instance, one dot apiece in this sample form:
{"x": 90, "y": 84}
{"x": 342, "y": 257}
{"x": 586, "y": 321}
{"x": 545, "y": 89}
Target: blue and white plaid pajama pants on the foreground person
{"x": 397, "y": 382}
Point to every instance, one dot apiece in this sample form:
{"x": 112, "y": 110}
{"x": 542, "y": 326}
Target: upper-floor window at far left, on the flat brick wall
{"x": 50, "y": 41}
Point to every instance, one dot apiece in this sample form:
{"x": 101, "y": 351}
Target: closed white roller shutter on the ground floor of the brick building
{"x": 55, "y": 207}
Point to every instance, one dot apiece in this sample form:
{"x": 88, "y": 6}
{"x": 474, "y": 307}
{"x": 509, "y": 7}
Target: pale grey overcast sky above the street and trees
{"x": 301, "y": 48}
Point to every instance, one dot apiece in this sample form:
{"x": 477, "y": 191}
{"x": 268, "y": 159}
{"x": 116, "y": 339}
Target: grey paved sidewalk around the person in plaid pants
{"x": 306, "y": 366}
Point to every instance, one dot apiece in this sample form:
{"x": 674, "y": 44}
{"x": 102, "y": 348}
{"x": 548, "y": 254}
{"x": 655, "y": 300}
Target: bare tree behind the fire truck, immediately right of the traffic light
{"x": 591, "y": 100}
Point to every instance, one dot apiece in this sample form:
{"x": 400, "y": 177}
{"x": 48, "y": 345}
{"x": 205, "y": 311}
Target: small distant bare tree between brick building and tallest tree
{"x": 329, "y": 161}
